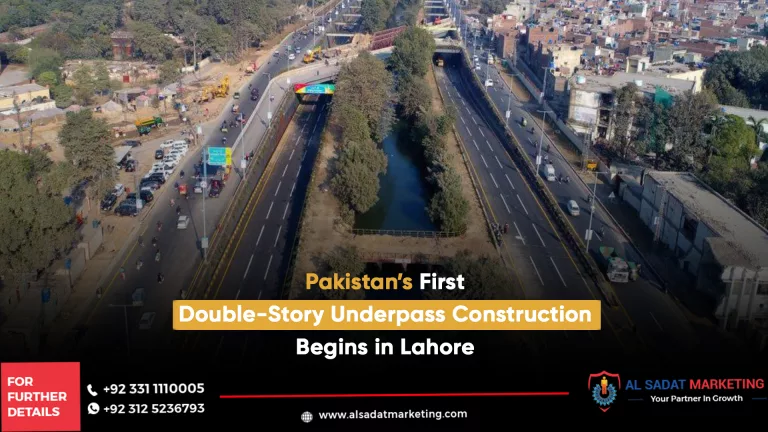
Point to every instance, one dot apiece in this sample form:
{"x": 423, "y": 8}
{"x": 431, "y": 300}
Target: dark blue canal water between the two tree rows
{"x": 404, "y": 193}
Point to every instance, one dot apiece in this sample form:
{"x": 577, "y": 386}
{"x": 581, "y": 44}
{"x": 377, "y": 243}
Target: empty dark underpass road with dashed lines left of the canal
{"x": 255, "y": 268}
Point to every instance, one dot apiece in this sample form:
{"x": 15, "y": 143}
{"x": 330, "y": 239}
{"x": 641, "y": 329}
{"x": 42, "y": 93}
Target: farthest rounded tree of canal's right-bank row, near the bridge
{"x": 412, "y": 52}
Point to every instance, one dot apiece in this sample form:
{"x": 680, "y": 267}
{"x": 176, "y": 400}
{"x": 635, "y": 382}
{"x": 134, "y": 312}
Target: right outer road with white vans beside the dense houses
{"x": 658, "y": 319}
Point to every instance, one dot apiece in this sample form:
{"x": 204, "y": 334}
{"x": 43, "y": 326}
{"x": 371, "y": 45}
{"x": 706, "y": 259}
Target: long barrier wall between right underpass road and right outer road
{"x": 550, "y": 203}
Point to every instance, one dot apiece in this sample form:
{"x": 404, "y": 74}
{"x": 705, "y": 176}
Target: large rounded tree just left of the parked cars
{"x": 86, "y": 145}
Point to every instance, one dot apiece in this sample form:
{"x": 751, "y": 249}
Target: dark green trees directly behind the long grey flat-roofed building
{"x": 692, "y": 134}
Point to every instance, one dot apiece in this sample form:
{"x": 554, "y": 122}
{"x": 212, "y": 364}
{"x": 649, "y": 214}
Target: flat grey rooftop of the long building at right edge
{"x": 743, "y": 241}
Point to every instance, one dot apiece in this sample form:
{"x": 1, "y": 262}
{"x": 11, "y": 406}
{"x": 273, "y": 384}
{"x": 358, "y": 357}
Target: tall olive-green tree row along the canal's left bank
{"x": 360, "y": 113}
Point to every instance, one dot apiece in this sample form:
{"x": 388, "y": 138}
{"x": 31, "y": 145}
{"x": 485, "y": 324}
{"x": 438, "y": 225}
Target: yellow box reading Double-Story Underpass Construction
{"x": 386, "y": 315}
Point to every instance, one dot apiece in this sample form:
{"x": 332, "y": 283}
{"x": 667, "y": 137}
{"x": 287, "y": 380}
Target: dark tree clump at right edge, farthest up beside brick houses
{"x": 740, "y": 78}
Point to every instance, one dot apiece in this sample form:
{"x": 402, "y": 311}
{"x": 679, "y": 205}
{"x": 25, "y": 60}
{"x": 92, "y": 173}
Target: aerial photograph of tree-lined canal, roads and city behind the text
{"x": 156, "y": 151}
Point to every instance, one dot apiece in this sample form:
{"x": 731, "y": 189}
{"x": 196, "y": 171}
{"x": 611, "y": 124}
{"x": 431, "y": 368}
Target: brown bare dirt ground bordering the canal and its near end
{"x": 322, "y": 231}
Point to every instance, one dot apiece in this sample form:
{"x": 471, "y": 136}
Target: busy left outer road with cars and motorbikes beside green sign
{"x": 105, "y": 328}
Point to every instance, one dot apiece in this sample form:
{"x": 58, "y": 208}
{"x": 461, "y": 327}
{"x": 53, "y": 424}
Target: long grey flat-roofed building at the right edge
{"x": 713, "y": 240}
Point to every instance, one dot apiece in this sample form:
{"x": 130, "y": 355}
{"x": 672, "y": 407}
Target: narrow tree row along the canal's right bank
{"x": 411, "y": 59}
